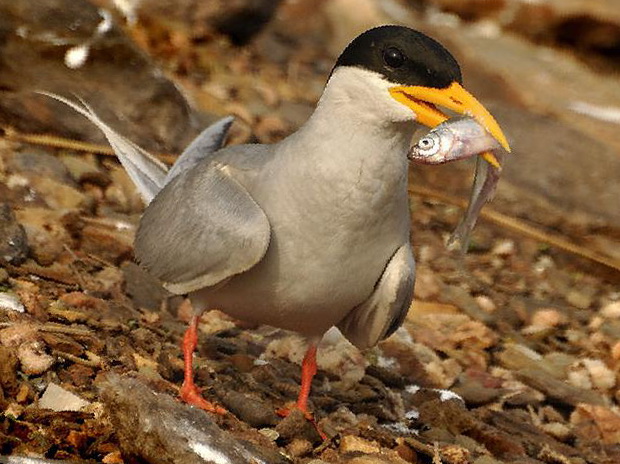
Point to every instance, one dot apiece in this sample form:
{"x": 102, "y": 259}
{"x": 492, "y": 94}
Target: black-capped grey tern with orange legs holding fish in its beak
{"x": 313, "y": 231}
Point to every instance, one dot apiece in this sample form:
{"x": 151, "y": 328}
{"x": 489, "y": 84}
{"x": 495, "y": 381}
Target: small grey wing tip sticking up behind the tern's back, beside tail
{"x": 206, "y": 143}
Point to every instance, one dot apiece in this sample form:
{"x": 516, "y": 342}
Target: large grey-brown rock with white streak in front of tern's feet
{"x": 158, "y": 429}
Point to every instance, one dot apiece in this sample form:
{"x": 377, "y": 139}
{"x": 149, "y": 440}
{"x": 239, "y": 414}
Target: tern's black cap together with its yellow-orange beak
{"x": 422, "y": 75}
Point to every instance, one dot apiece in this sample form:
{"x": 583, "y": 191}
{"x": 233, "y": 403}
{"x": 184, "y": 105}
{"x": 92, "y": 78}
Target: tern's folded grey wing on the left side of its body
{"x": 202, "y": 228}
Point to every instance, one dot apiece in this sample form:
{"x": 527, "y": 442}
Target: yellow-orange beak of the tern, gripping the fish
{"x": 422, "y": 101}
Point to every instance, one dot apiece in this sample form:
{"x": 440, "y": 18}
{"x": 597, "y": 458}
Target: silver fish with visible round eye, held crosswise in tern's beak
{"x": 455, "y": 139}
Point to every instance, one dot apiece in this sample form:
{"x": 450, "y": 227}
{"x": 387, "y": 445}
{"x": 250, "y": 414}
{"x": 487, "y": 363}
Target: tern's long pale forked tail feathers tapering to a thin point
{"x": 146, "y": 171}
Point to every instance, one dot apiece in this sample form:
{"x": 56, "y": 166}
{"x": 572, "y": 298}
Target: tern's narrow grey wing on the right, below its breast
{"x": 384, "y": 311}
